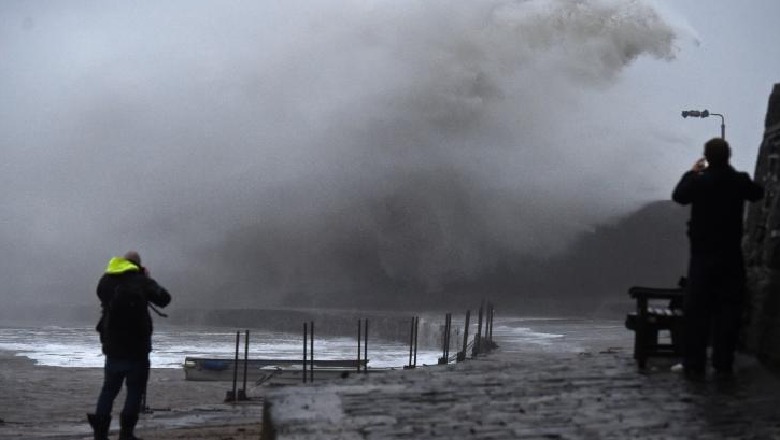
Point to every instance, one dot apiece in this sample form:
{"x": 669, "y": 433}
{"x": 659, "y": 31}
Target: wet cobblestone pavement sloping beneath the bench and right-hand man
{"x": 596, "y": 395}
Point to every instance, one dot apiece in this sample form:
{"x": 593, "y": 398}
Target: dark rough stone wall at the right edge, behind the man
{"x": 762, "y": 245}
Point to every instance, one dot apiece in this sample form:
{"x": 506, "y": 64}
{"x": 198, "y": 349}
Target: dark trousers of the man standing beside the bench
{"x": 713, "y": 309}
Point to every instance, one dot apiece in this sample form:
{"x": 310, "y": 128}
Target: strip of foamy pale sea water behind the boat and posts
{"x": 79, "y": 347}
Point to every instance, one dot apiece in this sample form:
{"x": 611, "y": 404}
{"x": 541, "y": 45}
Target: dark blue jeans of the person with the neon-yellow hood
{"x": 132, "y": 372}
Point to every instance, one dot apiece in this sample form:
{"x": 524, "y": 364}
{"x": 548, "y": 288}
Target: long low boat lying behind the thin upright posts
{"x": 276, "y": 371}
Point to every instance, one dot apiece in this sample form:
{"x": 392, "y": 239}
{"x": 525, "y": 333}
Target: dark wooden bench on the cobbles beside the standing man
{"x": 650, "y": 319}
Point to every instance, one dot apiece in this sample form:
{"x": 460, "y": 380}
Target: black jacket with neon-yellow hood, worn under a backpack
{"x": 133, "y": 342}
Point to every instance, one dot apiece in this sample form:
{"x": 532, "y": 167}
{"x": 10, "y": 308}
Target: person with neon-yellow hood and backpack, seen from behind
{"x": 125, "y": 329}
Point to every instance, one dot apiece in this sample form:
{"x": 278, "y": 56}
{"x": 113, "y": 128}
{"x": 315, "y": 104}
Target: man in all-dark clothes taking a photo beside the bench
{"x": 716, "y": 273}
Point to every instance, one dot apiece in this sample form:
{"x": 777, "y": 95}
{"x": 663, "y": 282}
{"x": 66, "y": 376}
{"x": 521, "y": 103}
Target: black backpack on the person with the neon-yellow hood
{"x": 125, "y": 322}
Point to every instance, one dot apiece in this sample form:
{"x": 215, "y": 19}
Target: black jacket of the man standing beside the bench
{"x": 717, "y": 196}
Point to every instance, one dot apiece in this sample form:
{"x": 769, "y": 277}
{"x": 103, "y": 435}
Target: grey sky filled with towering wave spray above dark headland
{"x": 254, "y": 150}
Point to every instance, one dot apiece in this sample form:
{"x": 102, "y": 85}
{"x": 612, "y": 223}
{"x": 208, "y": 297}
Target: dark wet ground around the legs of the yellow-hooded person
{"x": 52, "y": 402}
